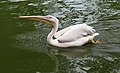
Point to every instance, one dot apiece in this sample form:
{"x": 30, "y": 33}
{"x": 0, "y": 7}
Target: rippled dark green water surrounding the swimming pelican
{"x": 23, "y": 46}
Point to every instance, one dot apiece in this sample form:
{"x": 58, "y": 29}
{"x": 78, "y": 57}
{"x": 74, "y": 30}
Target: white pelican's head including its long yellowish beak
{"x": 49, "y": 19}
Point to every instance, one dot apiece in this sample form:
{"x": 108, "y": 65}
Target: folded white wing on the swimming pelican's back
{"x": 75, "y": 32}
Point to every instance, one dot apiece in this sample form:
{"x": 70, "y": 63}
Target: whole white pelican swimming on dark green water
{"x": 75, "y": 35}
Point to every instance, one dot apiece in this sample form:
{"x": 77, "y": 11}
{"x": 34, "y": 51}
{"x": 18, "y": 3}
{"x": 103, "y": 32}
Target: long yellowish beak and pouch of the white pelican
{"x": 38, "y": 18}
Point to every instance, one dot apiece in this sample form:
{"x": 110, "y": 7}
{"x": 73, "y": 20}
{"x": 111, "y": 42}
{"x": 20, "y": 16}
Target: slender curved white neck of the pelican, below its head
{"x": 53, "y": 31}
